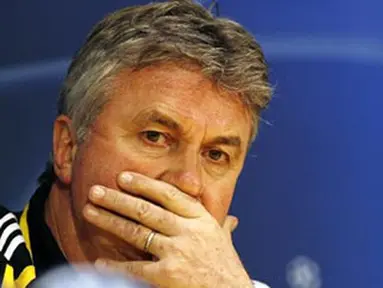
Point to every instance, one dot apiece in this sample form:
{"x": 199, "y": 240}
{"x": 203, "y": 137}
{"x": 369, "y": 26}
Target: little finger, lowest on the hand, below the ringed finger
{"x": 147, "y": 271}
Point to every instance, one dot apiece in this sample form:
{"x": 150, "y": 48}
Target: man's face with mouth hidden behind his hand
{"x": 171, "y": 124}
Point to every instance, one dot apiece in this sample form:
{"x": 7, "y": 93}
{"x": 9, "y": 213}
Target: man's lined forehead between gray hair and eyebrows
{"x": 182, "y": 92}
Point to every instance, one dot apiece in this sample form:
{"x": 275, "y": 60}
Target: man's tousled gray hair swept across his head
{"x": 139, "y": 36}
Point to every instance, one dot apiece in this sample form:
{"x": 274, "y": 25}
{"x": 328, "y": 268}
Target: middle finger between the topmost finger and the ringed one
{"x": 144, "y": 212}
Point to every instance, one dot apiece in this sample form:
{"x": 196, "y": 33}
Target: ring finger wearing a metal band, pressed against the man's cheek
{"x": 133, "y": 233}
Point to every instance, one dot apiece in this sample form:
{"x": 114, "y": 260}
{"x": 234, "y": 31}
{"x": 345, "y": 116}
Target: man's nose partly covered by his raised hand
{"x": 185, "y": 174}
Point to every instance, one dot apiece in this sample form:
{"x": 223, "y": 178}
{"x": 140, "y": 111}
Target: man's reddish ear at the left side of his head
{"x": 64, "y": 148}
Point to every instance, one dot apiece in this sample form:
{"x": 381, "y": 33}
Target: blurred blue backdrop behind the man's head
{"x": 309, "y": 199}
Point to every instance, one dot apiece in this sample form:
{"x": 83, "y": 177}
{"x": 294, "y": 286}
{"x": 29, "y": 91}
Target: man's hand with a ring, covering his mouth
{"x": 192, "y": 249}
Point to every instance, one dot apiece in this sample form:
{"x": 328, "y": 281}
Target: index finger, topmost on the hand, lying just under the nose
{"x": 162, "y": 193}
